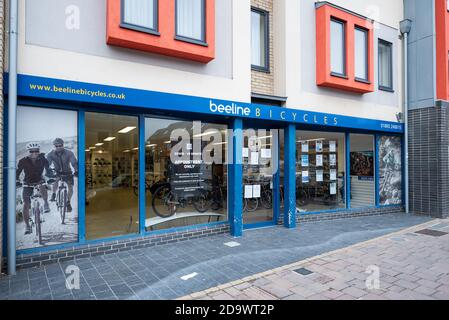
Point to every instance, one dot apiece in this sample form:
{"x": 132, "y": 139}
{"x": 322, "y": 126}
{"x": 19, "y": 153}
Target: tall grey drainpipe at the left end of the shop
{"x": 12, "y": 108}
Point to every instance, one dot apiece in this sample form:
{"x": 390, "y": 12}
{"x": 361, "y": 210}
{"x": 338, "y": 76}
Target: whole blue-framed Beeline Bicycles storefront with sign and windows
{"x": 151, "y": 163}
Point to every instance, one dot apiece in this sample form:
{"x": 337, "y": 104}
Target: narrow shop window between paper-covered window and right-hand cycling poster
{"x": 362, "y": 171}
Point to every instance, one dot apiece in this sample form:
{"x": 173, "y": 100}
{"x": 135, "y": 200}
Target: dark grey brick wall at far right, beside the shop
{"x": 429, "y": 160}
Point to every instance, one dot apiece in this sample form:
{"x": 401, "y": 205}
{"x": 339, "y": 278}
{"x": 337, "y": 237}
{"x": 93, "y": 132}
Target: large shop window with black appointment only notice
{"x": 185, "y": 173}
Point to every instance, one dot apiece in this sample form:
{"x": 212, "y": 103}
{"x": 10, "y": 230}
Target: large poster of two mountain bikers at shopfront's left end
{"x": 47, "y": 177}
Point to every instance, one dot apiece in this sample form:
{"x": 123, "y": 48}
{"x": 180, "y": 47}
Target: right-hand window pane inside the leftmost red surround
{"x": 190, "y": 20}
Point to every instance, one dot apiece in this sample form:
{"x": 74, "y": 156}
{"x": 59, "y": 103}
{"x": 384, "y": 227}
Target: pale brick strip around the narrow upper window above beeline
{"x": 263, "y": 82}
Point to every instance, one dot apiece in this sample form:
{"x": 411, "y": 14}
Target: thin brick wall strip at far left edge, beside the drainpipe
{"x": 2, "y": 37}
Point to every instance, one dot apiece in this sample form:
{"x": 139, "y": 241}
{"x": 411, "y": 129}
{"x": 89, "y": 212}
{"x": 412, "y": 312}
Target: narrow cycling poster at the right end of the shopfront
{"x": 390, "y": 185}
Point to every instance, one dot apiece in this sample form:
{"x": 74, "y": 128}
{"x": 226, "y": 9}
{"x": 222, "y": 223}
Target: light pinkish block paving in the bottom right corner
{"x": 411, "y": 264}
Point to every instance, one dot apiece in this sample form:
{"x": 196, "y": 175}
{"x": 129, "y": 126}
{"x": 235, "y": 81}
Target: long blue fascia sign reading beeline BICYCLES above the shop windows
{"x": 48, "y": 88}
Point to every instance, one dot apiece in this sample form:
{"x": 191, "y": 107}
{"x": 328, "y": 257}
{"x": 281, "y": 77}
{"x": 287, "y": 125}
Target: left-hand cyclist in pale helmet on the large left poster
{"x": 33, "y": 165}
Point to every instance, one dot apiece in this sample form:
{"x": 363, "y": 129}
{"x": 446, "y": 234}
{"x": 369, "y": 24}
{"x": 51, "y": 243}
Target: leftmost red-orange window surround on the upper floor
{"x": 164, "y": 43}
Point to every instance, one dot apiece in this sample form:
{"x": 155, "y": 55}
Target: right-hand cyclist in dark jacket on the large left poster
{"x": 66, "y": 167}
